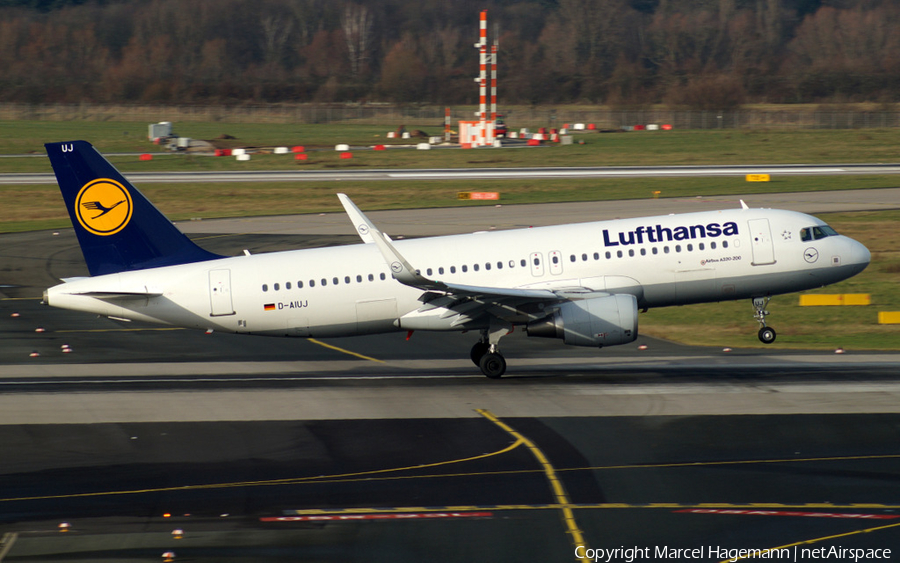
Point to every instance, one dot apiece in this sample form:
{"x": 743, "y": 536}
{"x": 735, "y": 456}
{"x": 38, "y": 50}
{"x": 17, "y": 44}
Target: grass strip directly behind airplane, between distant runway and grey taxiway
{"x": 32, "y": 207}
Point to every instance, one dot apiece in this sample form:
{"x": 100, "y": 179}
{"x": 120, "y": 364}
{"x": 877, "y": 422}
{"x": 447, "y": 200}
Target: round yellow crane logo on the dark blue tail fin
{"x": 103, "y": 207}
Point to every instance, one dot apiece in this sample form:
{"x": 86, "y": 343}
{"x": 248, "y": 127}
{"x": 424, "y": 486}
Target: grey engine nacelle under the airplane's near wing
{"x": 602, "y": 321}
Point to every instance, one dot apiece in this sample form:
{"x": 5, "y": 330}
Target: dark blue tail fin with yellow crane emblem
{"x": 117, "y": 227}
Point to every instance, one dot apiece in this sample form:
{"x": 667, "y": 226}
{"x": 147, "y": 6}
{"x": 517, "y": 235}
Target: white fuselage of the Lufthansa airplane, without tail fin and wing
{"x": 349, "y": 290}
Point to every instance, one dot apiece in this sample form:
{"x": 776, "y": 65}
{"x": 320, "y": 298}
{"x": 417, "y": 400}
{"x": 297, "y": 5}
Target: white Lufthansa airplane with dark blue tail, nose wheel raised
{"x": 582, "y": 283}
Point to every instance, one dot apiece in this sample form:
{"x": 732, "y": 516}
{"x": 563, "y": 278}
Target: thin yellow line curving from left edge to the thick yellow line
{"x": 273, "y": 482}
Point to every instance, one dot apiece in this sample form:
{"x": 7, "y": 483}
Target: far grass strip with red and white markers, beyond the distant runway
{"x": 614, "y": 149}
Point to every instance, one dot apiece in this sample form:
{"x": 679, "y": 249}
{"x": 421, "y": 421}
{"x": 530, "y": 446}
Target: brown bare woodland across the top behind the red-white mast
{"x": 700, "y": 54}
